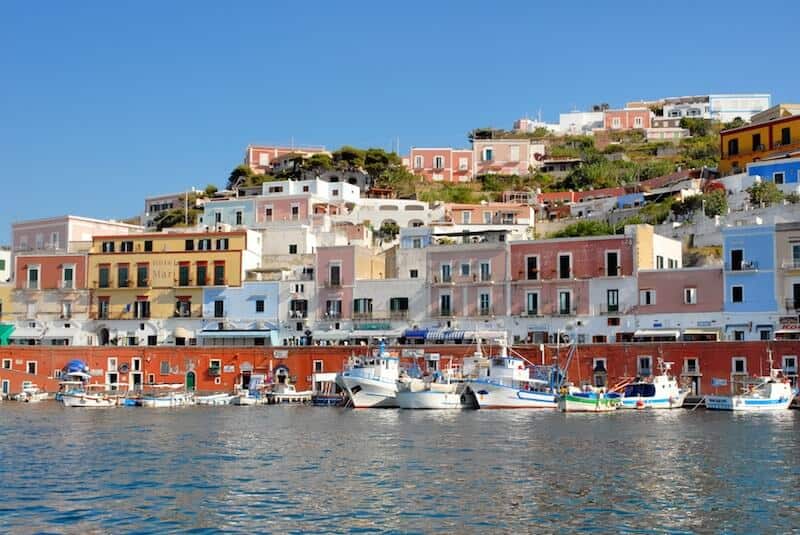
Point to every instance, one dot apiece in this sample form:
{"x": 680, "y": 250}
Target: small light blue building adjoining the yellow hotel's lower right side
{"x": 245, "y": 315}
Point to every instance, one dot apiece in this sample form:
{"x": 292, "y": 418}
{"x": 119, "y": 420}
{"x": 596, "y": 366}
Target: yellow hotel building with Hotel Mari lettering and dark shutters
{"x": 162, "y": 275}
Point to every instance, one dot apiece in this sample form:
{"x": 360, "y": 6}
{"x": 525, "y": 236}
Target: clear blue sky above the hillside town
{"x": 103, "y": 103}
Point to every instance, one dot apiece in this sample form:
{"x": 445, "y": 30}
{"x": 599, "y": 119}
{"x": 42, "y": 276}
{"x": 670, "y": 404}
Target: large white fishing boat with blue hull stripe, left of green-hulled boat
{"x": 505, "y": 382}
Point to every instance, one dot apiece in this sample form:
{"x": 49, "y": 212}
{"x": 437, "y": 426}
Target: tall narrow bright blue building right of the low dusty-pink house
{"x": 749, "y": 255}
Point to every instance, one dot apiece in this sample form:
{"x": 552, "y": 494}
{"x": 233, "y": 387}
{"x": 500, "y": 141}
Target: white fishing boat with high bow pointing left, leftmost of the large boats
{"x": 371, "y": 381}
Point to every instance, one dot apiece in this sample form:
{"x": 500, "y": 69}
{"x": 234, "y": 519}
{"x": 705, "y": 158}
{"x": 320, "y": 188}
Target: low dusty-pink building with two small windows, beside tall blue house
{"x": 687, "y": 290}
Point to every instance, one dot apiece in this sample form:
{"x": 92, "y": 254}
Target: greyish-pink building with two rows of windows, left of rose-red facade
{"x": 467, "y": 280}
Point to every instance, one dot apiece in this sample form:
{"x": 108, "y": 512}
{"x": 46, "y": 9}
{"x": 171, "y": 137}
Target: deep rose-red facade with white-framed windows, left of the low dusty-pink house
{"x": 552, "y": 276}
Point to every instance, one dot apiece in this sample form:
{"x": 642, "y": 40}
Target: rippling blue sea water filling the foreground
{"x": 303, "y": 469}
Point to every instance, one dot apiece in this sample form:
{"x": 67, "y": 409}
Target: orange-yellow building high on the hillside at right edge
{"x": 754, "y": 142}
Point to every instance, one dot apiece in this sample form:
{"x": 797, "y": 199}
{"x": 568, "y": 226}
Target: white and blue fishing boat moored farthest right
{"x": 764, "y": 394}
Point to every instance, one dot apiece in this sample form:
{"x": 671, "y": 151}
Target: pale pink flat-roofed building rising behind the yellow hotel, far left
{"x": 65, "y": 233}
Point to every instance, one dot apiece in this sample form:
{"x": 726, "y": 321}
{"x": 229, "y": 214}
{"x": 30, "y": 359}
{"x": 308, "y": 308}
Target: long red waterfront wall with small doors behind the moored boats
{"x": 714, "y": 360}
